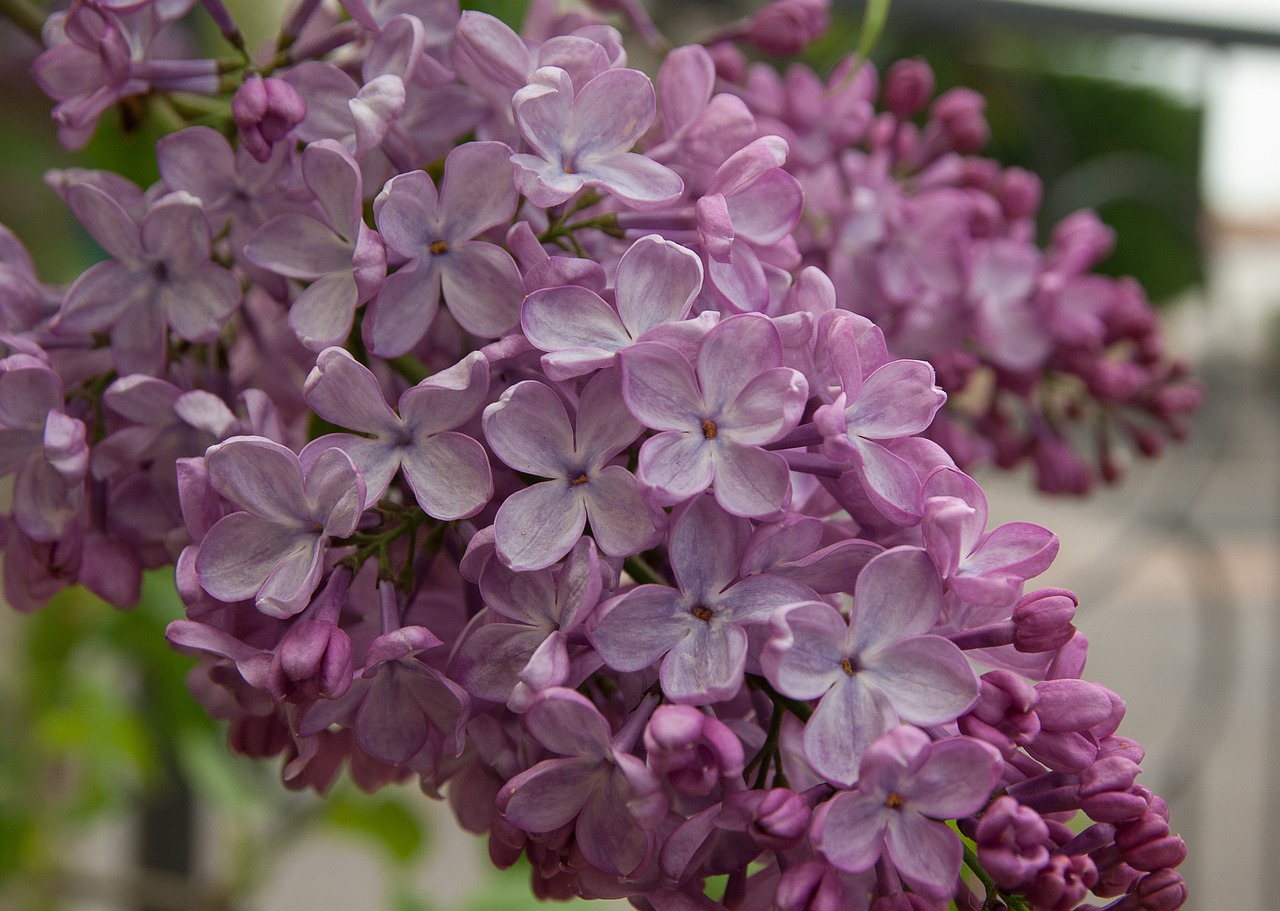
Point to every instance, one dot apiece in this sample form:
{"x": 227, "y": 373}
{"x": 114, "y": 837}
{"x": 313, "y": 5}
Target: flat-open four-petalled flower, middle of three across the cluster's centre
{"x": 529, "y": 431}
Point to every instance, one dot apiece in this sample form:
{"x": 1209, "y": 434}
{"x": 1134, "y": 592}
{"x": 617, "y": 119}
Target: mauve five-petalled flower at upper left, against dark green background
{"x": 161, "y": 276}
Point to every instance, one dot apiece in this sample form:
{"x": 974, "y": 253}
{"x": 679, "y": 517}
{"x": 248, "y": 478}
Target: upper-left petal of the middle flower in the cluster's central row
{"x": 529, "y": 431}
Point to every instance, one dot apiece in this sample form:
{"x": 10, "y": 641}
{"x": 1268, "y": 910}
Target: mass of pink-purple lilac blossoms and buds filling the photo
{"x": 652, "y": 567}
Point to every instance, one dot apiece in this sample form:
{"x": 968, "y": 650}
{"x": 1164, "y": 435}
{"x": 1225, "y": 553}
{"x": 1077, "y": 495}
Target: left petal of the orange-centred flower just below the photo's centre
{"x": 638, "y": 630}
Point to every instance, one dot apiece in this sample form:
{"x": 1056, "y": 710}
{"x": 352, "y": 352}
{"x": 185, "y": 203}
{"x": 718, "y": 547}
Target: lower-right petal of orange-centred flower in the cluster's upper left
{"x": 482, "y": 287}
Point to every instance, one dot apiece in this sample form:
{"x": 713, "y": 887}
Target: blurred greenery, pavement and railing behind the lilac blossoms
{"x": 117, "y": 794}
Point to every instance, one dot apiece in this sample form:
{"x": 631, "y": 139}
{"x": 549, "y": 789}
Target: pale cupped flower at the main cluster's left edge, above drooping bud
{"x": 273, "y": 551}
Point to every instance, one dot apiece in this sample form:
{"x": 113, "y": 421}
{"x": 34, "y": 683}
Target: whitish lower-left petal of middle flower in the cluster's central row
{"x": 537, "y": 527}
